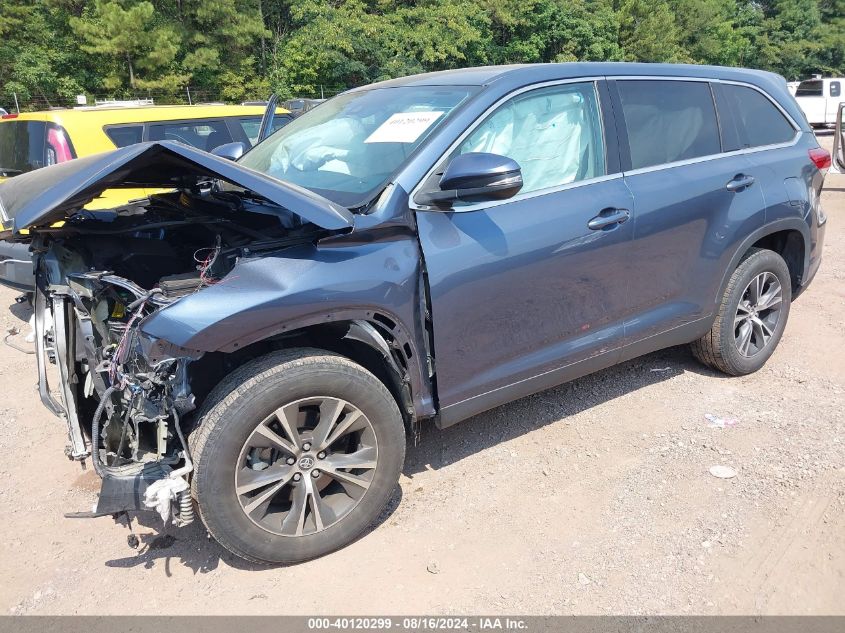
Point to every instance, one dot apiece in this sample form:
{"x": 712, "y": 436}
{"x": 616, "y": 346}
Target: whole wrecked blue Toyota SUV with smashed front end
{"x": 257, "y": 341}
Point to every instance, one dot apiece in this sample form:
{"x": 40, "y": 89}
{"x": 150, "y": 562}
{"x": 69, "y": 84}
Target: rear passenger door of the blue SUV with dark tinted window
{"x": 693, "y": 204}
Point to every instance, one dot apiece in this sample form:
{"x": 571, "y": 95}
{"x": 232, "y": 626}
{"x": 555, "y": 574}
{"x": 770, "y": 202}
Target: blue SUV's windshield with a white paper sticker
{"x": 348, "y": 147}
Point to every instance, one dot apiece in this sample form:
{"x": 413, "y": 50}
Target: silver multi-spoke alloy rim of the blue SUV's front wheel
{"x": 306, "y": 466}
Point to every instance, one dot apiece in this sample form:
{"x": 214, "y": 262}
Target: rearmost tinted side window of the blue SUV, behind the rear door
{"x": 758, "y": 121}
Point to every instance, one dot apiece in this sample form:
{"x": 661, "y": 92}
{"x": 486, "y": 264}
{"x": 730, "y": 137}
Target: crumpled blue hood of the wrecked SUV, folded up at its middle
{"x": 44, "y": 196}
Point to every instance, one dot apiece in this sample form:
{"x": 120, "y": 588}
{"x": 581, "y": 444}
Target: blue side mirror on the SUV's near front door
{"x": 476, "y": 177}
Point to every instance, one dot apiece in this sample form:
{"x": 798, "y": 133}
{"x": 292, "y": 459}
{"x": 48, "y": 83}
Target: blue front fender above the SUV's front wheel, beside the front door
{"x": 342, "y": 280}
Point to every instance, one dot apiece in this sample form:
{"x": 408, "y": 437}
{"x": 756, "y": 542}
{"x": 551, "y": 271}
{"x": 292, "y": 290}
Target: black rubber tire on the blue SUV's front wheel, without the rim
{"x": 237, "y": 407}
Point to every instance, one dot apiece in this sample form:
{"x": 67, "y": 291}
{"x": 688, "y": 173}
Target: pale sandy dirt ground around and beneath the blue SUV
{"x": 594, "y": 497}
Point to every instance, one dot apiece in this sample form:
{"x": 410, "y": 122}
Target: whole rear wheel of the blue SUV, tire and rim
{"x": 751, "y": 317}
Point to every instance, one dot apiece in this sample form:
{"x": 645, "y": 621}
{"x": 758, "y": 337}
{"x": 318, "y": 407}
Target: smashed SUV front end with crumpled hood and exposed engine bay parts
{"x": 127, "y": 397}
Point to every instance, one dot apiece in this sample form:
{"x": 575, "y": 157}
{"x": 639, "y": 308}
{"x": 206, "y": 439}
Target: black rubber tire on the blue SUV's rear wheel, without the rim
{"x": 719, "y": 347}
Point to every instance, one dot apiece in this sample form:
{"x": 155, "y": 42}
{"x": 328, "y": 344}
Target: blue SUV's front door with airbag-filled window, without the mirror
{"x": 524, "y": 288}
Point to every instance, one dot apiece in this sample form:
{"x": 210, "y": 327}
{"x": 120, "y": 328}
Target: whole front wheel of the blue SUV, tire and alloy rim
{"x": 296, "y": 455}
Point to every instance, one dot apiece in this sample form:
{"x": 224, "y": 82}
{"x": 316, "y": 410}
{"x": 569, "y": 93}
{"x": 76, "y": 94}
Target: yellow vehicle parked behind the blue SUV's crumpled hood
{"x": 32, "y": 140}
